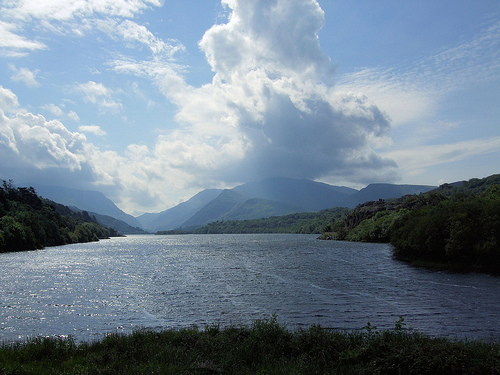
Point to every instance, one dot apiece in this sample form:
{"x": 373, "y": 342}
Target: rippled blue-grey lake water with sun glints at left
{"x": 157, "y": 282}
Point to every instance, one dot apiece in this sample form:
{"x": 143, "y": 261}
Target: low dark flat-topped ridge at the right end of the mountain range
{"x": 374, "y": 192}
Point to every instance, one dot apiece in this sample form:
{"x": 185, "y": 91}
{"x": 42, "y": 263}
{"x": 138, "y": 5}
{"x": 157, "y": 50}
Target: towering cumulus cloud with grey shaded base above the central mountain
{"x": 270, "y": 109}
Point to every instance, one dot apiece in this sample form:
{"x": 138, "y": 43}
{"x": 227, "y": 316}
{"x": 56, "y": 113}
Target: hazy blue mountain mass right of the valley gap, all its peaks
{"x": 268, "y": 197}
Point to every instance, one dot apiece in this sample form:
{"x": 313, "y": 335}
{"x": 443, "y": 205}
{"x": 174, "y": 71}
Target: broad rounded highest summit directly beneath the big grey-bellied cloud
{"x": 307, "y": 194}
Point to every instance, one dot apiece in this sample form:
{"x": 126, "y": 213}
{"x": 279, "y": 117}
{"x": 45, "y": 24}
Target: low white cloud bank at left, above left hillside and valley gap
{"x": 38, "y": 150}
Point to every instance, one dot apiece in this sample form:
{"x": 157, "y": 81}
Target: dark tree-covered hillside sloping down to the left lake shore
{"x": 28, "y": 222}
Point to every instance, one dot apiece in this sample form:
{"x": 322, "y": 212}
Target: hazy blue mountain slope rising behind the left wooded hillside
{"x": 87, "y": 200}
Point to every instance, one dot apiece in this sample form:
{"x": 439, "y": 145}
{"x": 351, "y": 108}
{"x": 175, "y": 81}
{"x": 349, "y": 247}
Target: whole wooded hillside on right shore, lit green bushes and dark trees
{"x": 456, "y": 225}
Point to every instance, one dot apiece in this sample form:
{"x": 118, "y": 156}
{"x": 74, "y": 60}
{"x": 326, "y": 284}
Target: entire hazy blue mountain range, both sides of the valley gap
{"x": 257, "y": 199}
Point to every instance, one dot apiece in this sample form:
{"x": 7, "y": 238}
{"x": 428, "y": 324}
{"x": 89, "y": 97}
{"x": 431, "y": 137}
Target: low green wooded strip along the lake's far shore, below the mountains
{"x": 303, "y": 223}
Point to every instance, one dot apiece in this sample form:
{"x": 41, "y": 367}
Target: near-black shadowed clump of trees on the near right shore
{"x": 463, "y": 230}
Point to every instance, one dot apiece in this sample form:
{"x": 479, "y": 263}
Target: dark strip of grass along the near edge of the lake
{"x": 266, "y": 347}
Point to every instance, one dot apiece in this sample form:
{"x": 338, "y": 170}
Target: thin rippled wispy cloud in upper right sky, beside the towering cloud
{"x": 413, "y": 93}
